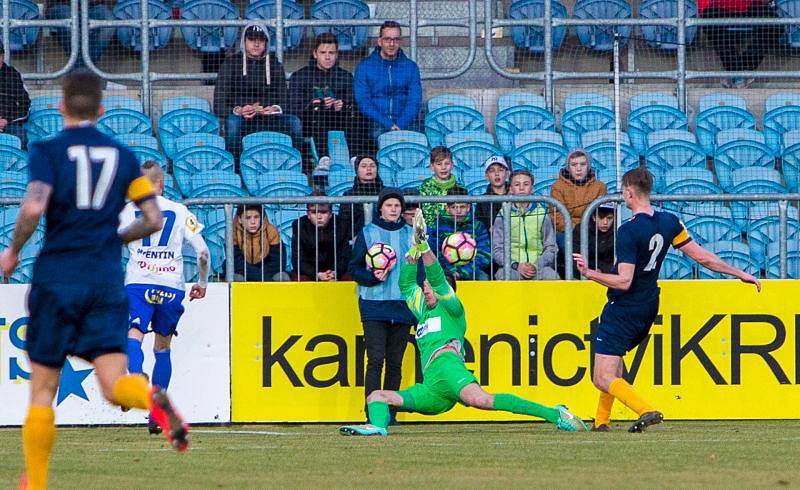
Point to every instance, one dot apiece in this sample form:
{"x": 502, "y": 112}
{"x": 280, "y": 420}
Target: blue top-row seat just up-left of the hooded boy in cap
{"x": 210, "y": 39}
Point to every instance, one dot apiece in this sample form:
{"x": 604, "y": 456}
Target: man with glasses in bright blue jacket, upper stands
{"x": 388, "y": 86}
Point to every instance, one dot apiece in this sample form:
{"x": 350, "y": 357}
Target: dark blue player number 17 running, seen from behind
{"x": 79, "y": 180}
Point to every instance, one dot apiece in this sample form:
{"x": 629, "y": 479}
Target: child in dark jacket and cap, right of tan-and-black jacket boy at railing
{"x": 320, "y": 248}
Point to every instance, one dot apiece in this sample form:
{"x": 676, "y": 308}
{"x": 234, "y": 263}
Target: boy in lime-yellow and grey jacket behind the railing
{"x": 533, "y": 241}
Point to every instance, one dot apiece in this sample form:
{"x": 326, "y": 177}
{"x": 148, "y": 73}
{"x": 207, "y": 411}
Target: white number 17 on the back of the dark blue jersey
{"x": 83, "y": 156}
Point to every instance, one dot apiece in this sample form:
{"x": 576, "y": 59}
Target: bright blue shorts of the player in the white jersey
{"x": 155, "y": 308}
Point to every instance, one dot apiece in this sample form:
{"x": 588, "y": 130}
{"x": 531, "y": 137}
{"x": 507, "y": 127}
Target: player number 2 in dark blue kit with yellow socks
{"x": 633, "y": 293}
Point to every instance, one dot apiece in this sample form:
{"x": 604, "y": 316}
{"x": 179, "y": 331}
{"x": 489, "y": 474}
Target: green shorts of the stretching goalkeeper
{"x": 445, "y": 377}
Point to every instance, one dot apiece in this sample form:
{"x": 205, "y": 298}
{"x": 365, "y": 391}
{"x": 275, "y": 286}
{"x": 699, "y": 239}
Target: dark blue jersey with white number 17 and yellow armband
{"x": 91, "y": 175}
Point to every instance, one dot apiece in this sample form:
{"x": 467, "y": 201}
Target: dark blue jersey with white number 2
{"x": 643, "y": 241}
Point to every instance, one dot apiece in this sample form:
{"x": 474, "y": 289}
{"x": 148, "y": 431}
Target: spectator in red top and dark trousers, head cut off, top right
{"x": 739, "y": 47}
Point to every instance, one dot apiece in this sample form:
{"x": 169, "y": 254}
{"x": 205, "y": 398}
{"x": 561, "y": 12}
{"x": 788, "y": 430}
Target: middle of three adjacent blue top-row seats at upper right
{"x": 601, "y": 38}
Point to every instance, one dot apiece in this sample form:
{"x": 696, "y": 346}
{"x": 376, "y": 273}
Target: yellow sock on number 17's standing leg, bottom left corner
{"x": 38, "y": 435}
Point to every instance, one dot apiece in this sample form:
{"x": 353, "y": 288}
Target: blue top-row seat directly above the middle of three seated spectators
{"x": 349, "y": 37}
